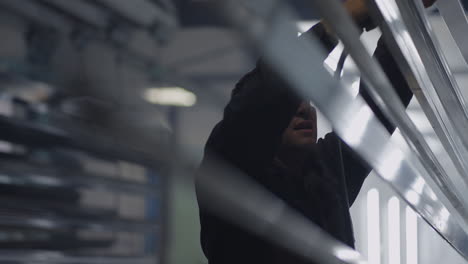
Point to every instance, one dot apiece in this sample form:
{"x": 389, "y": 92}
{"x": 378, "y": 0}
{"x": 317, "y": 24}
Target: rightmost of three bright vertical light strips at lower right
{"x": 411, "y": 236}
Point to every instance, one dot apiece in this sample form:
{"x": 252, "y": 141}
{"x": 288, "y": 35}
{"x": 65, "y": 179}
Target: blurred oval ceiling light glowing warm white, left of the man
{"x": 174, "y": 96}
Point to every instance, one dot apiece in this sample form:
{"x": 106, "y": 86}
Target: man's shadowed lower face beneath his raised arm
{"x": 301, "y": 132}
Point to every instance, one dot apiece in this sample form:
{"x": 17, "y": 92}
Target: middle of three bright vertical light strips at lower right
{"x": 394, "y": 231}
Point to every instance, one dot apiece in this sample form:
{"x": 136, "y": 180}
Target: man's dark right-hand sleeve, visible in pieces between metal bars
{"x": 355, "y": 169}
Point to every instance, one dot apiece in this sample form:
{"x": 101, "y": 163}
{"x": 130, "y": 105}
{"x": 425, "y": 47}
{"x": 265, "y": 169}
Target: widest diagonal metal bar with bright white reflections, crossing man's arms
{"x": 352, "y": 119}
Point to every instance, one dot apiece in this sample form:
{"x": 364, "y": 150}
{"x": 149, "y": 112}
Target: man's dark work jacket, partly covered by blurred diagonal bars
{"x": 248, "y": 137}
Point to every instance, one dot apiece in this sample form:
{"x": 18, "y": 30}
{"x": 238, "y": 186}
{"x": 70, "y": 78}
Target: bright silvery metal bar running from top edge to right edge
{"x": 410, "y": 59}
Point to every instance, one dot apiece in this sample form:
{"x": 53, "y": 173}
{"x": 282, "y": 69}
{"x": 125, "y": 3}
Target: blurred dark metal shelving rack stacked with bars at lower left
{"x": 52, "y": 193}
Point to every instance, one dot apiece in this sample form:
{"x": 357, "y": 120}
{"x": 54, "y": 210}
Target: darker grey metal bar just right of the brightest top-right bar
{"x": 445, "y": 88}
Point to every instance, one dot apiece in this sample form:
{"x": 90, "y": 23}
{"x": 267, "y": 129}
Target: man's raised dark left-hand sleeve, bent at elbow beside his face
{"x": 260, "y": 108}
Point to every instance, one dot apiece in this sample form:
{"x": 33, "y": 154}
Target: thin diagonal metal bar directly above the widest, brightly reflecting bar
{"x": 385, "y": 96}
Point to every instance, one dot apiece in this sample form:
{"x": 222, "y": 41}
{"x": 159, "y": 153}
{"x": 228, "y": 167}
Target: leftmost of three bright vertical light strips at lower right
{"x": 373, "y": 226}
